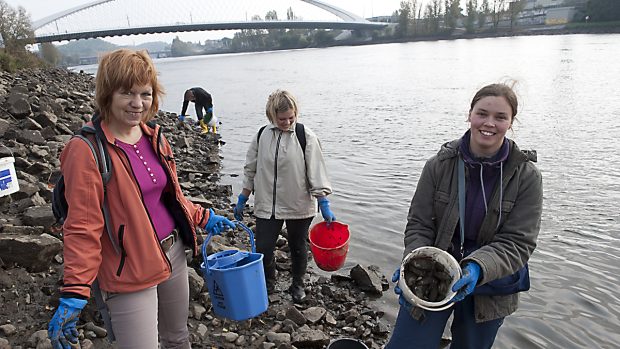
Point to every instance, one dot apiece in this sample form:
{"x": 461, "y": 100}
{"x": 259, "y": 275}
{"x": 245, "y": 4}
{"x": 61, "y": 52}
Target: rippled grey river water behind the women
{"x": 382, "y": 110}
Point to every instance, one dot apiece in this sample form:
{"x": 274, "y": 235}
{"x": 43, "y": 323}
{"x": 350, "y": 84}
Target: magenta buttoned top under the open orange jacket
{"x": 152, "y": 180}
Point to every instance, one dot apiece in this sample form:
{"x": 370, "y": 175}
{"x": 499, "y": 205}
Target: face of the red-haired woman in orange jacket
{"x": 130, "y": 107}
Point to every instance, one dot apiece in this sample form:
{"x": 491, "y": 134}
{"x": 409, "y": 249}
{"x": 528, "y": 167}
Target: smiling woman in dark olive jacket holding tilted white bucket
{"x": 503, "y": 207}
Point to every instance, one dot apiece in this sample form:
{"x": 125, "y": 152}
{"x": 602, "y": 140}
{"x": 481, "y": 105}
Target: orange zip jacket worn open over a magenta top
{"x": 88, "y": 251}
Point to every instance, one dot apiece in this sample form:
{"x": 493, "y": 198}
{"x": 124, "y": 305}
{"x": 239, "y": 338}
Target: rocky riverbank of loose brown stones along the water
{"x": 39, "y": 111}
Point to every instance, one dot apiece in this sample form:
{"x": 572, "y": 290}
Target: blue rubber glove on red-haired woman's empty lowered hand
{"x": 61, "y": 330}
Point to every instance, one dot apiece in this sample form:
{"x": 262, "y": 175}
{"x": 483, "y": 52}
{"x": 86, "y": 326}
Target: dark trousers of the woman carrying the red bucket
{"x": 267, "y": 231}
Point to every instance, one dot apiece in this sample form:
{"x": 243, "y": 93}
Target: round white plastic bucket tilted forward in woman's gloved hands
{"x": 440, "y": 256}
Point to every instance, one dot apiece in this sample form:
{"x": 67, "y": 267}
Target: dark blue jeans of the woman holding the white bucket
{"x": 426, "y": 334}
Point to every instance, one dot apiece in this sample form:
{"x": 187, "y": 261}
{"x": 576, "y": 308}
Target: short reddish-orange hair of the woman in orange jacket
{"x": 123, "y": 69}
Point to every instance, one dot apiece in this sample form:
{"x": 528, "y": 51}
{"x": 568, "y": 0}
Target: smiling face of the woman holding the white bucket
{"x": 490, "y": 118}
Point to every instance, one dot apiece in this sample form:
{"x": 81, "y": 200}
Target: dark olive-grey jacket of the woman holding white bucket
{"x": 434, "y": 215}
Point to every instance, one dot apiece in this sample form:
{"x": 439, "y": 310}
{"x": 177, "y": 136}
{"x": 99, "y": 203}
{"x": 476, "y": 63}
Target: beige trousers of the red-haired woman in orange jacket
{"x": 139, "y": 318}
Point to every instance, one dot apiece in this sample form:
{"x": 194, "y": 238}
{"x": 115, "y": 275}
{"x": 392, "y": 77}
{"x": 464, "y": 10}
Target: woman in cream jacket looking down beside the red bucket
{"x": 286, "y": 177}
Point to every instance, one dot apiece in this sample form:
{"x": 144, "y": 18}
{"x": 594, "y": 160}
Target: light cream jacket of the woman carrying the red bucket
{"x": 283, "y": 184}
